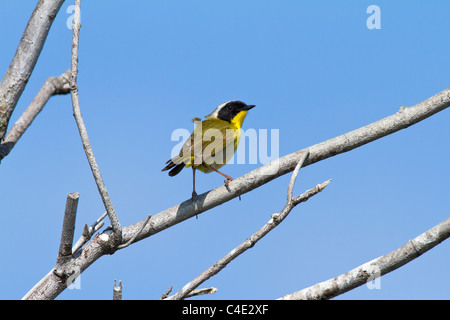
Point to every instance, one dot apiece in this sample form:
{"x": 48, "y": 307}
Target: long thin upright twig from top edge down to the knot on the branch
{"x": 117, "y": 230}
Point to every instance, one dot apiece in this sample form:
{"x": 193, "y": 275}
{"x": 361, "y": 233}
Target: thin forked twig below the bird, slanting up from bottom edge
{"x": 258, "y": 235}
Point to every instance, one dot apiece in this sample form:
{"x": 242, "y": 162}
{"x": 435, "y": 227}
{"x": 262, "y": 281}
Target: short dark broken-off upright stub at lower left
{"x": 65, "y": 247}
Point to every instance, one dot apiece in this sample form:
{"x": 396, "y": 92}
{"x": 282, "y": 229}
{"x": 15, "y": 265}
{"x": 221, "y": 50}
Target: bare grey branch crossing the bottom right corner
{"x": 375, "y": 268}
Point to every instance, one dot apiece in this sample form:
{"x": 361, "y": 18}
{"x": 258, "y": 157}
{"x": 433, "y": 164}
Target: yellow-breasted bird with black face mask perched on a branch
{"x": 212, "y": 143}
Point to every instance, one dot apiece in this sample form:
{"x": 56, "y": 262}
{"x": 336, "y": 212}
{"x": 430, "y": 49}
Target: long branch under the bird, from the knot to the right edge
{"x": 404, "y": 118}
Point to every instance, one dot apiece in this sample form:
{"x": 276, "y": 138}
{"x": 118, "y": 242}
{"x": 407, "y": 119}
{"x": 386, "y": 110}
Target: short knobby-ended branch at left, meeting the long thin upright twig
{"x": 52, "y": 86}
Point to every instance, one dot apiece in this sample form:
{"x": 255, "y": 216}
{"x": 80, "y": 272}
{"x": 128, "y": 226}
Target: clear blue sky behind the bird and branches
{"x": 314, "y": 71}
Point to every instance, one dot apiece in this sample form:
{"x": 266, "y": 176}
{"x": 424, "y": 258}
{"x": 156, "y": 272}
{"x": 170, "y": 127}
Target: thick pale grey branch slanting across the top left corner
{"x": 25, "y": 58}
